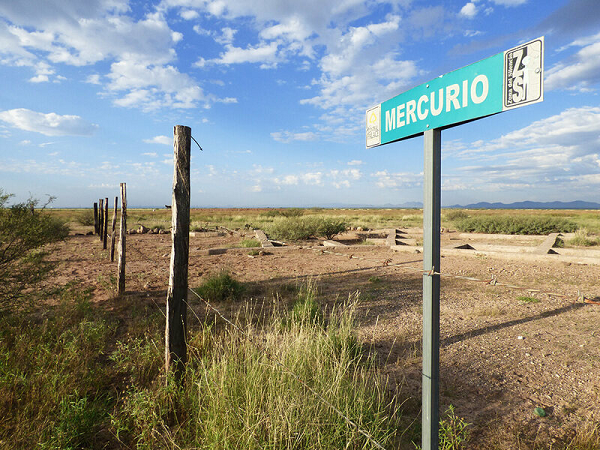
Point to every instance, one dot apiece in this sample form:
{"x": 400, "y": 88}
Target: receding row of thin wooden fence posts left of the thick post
{"x": 101, "y": 229}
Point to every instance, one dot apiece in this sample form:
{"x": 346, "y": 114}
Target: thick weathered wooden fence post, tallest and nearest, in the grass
{"x": 175, "y": 330}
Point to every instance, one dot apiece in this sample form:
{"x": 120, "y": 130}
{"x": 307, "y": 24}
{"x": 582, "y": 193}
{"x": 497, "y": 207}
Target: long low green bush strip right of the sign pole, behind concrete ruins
{"x": 516, "y": 225}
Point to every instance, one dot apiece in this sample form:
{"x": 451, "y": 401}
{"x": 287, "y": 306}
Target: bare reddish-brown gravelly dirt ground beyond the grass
{"x": 501, "y": 356}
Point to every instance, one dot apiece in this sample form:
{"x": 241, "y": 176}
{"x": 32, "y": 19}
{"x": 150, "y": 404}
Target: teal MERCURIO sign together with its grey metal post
{"x": 502, "y": 82}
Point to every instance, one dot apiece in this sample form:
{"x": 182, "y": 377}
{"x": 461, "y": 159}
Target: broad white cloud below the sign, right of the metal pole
{"x": 559, "y": 153}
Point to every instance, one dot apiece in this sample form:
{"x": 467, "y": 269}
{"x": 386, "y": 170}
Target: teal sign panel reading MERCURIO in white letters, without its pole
{"x": 507, "y": 80}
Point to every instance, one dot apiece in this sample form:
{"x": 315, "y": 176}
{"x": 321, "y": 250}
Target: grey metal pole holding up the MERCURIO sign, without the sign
{"x": 431, "y": 290}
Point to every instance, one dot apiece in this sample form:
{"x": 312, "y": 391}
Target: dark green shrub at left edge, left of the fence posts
{"x": 24, "y": 231}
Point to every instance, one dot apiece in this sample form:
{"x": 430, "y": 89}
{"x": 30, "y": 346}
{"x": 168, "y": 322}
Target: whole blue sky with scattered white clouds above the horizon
{"x": 276, "y": 92}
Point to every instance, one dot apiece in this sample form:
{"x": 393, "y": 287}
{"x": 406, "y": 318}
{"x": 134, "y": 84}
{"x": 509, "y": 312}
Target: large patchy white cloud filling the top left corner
{"x": 139, "y": 50}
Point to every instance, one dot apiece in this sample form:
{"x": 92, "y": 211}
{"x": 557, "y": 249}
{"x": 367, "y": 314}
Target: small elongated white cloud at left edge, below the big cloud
{"x": 50, "y": 124}
